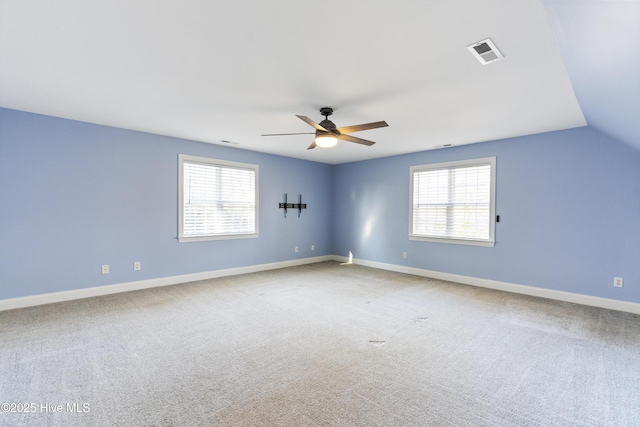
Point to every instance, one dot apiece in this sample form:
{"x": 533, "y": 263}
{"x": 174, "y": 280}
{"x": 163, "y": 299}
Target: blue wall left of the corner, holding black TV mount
{"x": 74, "y": 196}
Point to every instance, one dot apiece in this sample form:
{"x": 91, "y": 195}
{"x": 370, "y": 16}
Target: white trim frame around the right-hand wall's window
{"x": 492, "y": 207}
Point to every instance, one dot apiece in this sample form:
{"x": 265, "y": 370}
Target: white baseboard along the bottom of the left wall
{"x": 33, "y": 300}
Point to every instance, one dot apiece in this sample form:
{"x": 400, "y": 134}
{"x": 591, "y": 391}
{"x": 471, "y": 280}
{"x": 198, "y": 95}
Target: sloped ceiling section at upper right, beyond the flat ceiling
{"x": 600, "y": 46}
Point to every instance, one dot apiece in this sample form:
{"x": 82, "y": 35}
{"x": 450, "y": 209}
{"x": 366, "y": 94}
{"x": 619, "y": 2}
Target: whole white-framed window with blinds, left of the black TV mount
{"x": 217, "y": 199}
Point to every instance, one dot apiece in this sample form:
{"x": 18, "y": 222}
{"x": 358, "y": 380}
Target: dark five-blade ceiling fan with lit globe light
{"x": 327, "y": 134}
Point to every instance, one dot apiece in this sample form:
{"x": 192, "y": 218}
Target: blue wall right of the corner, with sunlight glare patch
{"x": 569, "y": 206}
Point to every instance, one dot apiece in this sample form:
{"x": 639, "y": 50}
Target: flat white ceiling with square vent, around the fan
{"x": 233, "y": 70}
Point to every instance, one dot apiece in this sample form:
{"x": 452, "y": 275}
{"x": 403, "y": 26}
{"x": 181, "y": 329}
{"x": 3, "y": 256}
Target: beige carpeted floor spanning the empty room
{"x": 321, "y": 344}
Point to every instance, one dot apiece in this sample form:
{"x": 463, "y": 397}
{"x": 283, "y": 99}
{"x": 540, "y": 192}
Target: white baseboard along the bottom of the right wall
{"x": 607, "y": 303}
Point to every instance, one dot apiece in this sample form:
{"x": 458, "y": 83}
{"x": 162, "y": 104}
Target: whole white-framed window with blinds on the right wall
{"x": 454, "y": 202}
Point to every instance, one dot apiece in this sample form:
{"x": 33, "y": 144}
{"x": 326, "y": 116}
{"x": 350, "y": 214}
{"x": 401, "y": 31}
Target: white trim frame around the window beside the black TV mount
{"x": 210, "y": 161}
